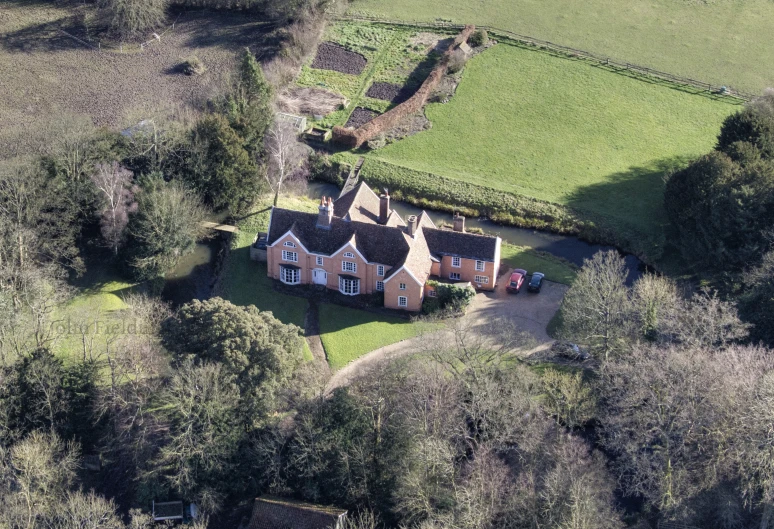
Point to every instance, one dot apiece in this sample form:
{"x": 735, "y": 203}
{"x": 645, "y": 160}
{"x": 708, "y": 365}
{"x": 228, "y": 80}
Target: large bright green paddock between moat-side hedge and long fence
{"x": 563, "y": 131}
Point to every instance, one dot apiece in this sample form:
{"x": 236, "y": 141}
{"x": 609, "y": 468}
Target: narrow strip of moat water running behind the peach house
{"x": 565, "y": 246}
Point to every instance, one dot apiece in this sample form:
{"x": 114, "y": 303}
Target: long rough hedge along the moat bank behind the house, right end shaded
{"x": 436, "y": 192}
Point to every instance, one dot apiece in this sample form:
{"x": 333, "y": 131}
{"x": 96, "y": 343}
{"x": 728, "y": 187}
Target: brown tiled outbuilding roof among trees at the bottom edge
{"x": 279, "y": 513}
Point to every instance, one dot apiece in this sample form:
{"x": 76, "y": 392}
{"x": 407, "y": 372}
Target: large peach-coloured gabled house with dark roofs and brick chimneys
{"x": 358, "y": 245}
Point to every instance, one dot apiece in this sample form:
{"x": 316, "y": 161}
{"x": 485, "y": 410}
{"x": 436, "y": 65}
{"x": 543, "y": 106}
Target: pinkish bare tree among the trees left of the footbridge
{"x": 114, "y": 184}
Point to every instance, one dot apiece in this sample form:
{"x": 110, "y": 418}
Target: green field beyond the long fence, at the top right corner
{"x": 724, "y": 42}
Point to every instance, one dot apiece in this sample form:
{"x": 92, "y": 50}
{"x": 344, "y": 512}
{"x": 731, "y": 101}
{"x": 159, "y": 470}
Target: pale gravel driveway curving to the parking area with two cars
{"x": 529, "y": 312}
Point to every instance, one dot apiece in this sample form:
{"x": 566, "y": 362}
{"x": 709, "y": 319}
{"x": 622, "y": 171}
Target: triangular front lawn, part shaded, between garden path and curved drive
{"x": 348, "y": 333}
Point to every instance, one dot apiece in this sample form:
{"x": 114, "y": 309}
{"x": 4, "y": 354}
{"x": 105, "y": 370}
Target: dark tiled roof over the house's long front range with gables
{"x": 379, "y": 244}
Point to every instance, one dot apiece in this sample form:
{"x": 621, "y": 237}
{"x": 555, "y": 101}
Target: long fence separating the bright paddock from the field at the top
{"x": 574, "y": 53}
